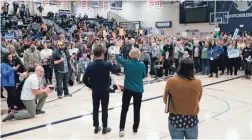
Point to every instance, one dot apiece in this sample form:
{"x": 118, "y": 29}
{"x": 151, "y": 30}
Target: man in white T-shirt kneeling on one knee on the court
{"x": 32, "y": 90}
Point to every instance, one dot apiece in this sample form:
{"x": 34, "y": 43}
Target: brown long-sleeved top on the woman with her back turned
{"x": 185, "y": 95}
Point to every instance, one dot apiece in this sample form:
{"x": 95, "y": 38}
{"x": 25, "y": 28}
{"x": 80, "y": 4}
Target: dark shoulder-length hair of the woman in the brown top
{"x": 186, "y": 68}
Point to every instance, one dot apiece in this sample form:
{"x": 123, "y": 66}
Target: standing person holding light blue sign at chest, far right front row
{"x": 233, "y": 58}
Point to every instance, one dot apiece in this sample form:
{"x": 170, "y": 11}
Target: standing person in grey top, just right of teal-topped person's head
{"x": 145, "y": 55}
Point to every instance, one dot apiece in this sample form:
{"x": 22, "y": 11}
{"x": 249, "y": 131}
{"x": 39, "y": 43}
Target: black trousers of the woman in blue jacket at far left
{"x": 11, "y": 99}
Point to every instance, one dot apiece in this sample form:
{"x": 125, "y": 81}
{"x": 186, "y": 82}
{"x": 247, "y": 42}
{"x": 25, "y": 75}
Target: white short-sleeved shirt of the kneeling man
{"x": 32, "y": 82}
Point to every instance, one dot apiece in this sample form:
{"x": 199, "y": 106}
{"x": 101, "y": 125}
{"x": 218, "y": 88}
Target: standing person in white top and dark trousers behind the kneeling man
{"x": 46, "y": 55}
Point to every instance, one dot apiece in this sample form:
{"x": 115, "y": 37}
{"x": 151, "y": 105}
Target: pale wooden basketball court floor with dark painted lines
{"x": 225, "y": 113}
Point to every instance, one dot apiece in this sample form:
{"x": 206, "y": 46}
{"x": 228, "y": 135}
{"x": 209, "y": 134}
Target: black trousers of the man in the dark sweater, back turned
{"x": 102, "y": 97}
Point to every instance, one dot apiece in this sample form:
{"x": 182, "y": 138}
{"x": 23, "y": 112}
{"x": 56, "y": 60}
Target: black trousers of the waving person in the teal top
{"x": 137, "y": 100}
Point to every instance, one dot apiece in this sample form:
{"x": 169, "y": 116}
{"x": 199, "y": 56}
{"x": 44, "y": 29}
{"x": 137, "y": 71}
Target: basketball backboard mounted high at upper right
{"x": 221, "y": 18}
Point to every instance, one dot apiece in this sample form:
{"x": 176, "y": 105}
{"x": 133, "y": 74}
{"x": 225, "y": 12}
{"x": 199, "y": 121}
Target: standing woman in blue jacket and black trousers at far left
{"x": 8, "y": 80}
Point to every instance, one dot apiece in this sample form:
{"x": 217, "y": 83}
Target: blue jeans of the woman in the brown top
{"x": 178, "y": 133}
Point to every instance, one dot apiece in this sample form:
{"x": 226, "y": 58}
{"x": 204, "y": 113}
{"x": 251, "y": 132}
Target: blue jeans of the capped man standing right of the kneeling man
{"x": 62, "y": 79}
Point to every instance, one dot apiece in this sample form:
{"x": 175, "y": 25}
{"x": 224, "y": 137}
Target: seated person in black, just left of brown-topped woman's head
{"x": 168, "y": 65}
